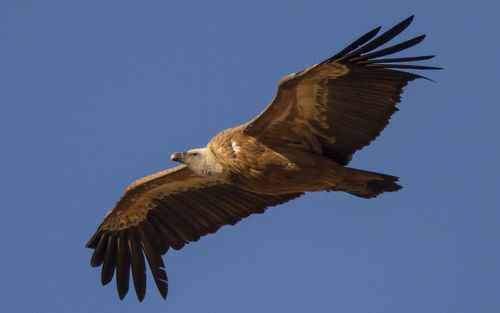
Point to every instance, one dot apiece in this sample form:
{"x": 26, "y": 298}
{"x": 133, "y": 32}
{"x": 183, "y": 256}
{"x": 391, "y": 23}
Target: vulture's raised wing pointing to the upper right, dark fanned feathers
{"x": 343, "y": 103}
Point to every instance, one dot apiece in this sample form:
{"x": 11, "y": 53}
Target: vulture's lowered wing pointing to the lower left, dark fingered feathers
{"x": 163, "y": 210}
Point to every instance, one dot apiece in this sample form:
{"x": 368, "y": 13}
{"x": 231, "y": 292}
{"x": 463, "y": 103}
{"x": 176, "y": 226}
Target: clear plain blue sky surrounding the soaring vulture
{"x": 96, "y": 94}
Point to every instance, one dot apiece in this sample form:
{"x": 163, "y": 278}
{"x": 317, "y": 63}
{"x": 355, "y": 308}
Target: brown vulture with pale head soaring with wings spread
{"x": 300, "y": 143}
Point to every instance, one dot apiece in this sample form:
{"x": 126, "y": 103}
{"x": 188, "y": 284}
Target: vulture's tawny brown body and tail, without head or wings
{"x": 251, "y": 165}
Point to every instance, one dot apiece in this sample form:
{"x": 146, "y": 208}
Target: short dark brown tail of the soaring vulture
{"x": 367, "y": 184}
